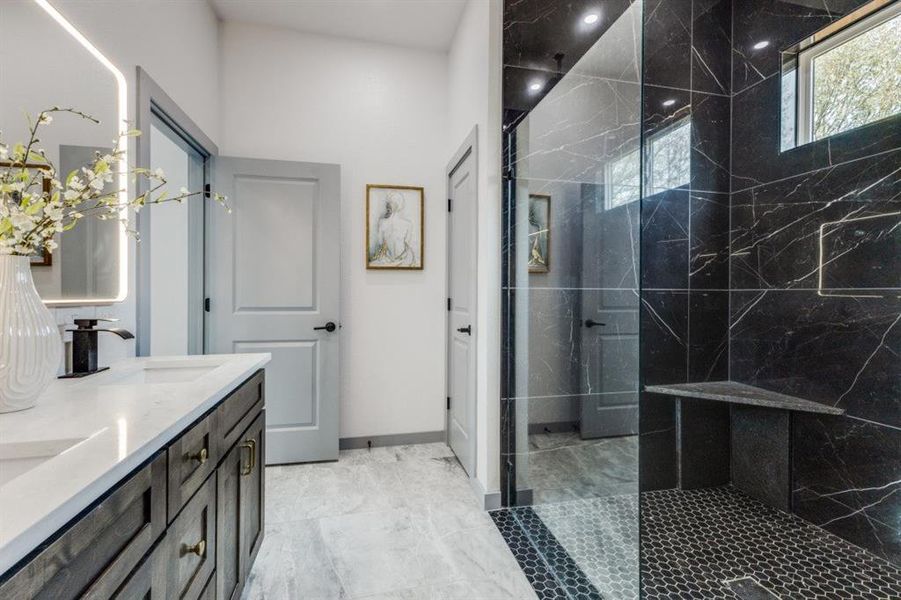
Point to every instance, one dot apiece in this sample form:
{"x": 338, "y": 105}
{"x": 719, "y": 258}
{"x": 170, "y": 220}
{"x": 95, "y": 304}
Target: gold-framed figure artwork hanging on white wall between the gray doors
{"x": 394, "y": 227}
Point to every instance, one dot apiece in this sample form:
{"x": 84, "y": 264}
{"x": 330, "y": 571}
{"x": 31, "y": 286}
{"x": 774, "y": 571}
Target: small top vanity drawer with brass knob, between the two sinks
{"x": 192, "y": 458}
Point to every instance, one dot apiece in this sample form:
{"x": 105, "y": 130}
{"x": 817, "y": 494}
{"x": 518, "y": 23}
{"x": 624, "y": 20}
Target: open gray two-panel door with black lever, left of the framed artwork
{"x": 273, "y": 274}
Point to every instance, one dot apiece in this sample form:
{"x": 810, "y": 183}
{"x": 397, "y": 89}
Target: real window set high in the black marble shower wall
{"x": 843, "y": 77}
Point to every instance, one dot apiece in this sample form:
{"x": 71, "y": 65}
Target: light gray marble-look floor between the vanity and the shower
{"x": 388, "y": 523}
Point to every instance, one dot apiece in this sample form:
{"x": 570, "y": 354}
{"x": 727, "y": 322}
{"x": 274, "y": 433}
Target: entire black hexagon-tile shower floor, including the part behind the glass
{"x": 709, "y": 543}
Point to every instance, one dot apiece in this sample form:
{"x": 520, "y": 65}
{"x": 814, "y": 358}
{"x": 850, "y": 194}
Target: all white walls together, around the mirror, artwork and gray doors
{"x": 386, "y": 115}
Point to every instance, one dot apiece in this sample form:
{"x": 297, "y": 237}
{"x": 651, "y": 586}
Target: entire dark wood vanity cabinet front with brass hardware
{"x": 187, "y": 524}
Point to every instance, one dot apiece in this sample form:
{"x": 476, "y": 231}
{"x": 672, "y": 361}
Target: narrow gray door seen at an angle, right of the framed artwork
{"x": 461, "y": 418}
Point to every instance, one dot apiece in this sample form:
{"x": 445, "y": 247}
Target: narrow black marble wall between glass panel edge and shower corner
{"x": 685, "y": 243}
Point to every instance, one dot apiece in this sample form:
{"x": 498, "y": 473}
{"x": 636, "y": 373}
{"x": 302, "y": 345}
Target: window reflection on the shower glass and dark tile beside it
{"x": 667, "y": 166}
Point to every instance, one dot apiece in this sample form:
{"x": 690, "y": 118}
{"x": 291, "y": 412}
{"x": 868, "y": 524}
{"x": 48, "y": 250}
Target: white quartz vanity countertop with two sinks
{"x": 106, "y": 425}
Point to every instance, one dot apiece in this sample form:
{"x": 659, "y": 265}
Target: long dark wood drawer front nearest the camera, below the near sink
{"x": 95, "y": 555}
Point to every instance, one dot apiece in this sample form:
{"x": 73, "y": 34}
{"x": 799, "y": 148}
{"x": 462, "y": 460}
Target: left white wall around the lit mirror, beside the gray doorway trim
{"x": 177, "y": 43}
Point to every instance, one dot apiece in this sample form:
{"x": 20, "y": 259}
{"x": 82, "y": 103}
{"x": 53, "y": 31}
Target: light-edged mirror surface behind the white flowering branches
{"x": 43, "y": 64}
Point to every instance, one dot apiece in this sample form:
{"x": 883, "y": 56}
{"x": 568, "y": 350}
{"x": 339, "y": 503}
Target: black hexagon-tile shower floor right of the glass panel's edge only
{"x": 699, "y": 543}
